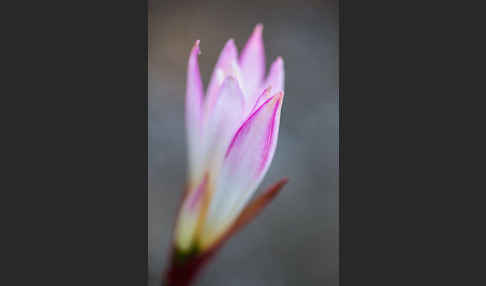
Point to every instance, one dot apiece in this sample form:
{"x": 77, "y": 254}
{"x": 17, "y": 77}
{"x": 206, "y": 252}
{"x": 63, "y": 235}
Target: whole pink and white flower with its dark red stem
{"x": 232, "y": 133}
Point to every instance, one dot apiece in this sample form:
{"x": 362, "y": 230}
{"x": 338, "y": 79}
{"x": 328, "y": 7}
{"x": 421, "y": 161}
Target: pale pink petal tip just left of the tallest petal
{"x": 223, "y": 67}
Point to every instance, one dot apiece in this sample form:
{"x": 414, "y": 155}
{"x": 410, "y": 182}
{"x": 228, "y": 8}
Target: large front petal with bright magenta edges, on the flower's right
{"x": 246, "y": 161}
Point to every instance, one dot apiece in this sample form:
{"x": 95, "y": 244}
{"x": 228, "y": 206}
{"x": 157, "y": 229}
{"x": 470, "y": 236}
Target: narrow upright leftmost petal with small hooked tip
{"x": 194, "y": 98}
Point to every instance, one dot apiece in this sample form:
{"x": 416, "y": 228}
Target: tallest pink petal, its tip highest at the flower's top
{"x": 252, "y": 62}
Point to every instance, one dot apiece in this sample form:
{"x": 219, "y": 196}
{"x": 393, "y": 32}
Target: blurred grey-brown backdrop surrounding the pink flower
{"x": 295, "y": 239}
